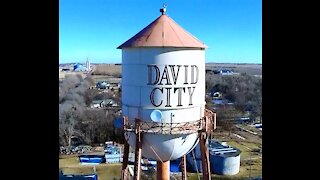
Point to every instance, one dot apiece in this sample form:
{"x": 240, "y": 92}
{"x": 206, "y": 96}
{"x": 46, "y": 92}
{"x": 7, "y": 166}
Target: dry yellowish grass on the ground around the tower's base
{"x": 250, "y": 161}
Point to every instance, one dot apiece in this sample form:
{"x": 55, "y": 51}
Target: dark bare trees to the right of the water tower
{"x": 243, "y": 91}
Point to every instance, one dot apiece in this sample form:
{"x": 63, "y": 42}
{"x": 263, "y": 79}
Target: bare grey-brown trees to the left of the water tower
{"x": 77, "y": 120}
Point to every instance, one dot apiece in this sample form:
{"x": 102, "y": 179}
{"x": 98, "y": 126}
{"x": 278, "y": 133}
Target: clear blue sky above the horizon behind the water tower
{"x": 232, "y": 29}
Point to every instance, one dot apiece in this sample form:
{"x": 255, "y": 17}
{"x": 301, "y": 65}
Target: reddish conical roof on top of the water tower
{"x": 163, "y": 32}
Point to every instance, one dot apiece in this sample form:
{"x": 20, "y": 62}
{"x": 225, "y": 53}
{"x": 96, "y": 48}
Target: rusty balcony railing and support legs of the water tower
{"x": 205, "y": 126}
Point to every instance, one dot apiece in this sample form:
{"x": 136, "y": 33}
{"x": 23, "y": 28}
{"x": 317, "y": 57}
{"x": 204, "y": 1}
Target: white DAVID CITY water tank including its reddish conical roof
{"x": 163, "y": 81}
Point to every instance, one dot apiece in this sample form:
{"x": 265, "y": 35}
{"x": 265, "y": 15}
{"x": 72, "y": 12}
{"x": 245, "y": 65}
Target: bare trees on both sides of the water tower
{"x": 95, "y": 126}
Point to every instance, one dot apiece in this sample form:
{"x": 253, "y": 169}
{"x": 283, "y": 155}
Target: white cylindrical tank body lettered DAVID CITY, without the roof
{"x": 171, "y": 80}
